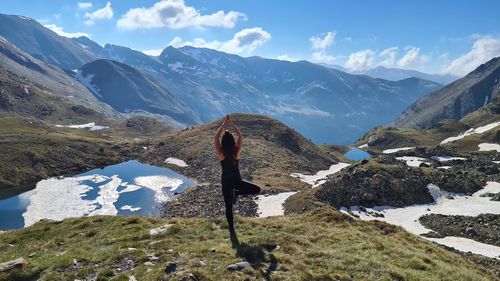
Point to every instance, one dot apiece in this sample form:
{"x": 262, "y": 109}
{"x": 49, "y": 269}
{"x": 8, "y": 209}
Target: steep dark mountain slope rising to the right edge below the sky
{"x": 455, "y": 100}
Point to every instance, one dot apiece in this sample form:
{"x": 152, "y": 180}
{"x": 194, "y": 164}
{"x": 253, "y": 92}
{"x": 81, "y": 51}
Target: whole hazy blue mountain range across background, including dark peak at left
{"x": 193, "y": 85}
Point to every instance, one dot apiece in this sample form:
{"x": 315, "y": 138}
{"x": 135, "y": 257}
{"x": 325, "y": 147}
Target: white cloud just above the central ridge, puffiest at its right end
{"x": 244, "y": 41}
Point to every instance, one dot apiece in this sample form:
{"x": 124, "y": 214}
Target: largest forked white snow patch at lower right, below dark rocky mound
{"x": 461, "y": 204}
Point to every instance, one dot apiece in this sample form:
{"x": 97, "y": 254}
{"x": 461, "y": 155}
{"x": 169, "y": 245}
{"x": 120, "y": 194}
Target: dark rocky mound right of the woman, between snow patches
{"x": 386, "y": 181}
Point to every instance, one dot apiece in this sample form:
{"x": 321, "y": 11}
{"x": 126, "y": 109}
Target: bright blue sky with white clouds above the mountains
{"x": 432, "y": 36}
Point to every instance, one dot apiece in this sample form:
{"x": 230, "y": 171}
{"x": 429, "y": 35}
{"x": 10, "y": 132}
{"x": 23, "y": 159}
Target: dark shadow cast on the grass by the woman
{"x": 259, "y": 256}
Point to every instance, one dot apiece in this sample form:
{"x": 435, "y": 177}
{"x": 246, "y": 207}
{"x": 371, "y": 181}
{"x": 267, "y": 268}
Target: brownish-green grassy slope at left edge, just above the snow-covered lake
{"x": 32, "y": 150}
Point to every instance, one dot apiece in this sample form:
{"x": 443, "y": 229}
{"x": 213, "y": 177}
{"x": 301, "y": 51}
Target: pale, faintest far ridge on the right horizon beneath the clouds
{"x": 395, "y": 74}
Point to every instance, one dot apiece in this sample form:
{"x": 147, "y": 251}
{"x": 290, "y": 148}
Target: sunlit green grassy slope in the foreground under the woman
{"x": 320, "y": 245}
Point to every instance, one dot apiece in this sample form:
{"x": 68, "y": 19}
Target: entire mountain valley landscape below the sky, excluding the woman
{"x": 108, "y": 169}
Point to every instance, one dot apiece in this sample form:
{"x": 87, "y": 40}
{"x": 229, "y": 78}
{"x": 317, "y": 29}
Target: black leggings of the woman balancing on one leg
{"x": 240, "y": 187}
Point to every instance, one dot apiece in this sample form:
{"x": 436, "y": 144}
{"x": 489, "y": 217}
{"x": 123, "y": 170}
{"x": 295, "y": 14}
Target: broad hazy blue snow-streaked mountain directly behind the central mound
{"x": 325, "y": 104}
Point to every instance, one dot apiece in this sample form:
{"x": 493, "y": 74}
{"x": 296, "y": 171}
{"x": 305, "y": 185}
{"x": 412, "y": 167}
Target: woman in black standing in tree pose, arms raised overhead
{"x": 229, "y": 152}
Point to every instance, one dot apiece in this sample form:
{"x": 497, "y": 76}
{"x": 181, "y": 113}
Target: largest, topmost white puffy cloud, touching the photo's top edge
{"x": 175, "y": 14}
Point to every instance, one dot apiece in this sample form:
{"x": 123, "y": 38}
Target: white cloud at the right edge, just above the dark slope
{"x": 483, "y": 49}
